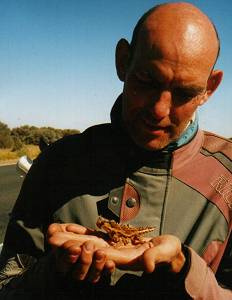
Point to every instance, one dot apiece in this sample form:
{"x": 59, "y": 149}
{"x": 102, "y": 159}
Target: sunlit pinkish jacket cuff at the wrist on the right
{"x": 201, "y": 283}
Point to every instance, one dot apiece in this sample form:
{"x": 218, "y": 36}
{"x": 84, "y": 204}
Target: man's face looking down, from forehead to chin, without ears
{"x": 162, "y": 90}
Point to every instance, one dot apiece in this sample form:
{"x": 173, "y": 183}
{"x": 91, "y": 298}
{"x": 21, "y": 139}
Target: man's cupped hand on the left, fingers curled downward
{"x": 80, "y": 254}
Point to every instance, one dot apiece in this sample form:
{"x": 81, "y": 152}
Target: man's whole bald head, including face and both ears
{"x": 167, "y": 72}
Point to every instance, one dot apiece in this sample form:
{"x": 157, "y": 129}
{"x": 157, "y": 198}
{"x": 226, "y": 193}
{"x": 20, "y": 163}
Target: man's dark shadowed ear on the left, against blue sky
{"x": 122, "y": 57}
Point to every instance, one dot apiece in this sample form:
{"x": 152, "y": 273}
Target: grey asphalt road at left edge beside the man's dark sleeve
{"x": 10, "y": 183}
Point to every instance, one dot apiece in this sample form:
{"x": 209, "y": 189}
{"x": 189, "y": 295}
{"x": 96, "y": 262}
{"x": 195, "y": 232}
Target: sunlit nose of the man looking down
{"x": 160, "y": 105}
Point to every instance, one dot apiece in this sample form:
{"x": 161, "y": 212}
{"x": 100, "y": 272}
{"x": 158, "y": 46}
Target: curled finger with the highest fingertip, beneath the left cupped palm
{"x": 84, "y": 261}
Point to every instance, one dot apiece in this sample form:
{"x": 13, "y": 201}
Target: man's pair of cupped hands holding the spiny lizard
{"x": 87, "y": 254}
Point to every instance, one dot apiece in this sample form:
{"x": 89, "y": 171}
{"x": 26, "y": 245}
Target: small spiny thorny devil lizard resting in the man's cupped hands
{"x": 120, "y": 235}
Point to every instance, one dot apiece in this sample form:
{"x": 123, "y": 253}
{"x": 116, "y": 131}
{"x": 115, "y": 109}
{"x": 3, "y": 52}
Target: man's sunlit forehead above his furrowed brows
{"x": 181, "y": 47}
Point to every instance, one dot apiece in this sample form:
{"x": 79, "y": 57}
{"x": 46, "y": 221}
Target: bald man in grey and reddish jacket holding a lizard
{"x": 151, "y": 166}
